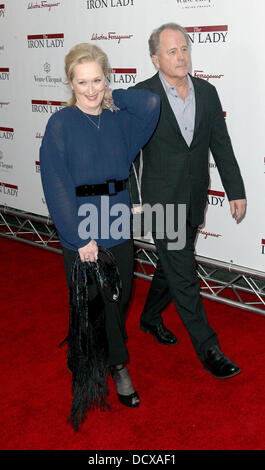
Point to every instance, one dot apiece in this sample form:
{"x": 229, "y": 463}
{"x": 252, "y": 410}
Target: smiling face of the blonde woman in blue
{"x": 89, "y": 86}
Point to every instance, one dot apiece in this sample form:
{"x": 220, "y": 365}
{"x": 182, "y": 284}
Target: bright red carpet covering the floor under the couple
{"x": 183, "y": 407}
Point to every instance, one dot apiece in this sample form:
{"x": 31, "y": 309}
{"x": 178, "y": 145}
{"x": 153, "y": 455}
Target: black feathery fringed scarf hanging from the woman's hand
{"x": 87, "y": 353}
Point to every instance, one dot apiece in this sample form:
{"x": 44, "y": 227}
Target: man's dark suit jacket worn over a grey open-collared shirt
{"x": 173, "y": 172}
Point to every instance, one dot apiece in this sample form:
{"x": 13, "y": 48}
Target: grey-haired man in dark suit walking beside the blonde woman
{"x": 175, "y": 171}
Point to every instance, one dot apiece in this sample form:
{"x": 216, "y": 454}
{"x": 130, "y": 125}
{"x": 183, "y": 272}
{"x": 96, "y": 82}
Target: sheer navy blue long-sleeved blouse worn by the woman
{"x": 75, "y": 152}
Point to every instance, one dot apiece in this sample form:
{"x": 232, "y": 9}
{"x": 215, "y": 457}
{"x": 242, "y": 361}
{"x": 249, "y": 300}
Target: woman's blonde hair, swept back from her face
{"x": 80, "y": 54}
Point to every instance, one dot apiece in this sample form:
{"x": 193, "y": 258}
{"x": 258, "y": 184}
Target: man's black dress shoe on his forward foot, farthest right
{"x": 219, "y": 365}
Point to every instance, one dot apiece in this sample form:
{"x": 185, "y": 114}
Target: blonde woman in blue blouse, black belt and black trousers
{"x": 85, "y": 158}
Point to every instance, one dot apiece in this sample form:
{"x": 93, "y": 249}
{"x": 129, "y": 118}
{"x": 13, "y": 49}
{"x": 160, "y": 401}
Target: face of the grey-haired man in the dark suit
{"x": 173, "y": 57}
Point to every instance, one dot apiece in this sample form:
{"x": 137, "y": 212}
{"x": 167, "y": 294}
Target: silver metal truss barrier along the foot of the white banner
{"x": 221, "y": 282}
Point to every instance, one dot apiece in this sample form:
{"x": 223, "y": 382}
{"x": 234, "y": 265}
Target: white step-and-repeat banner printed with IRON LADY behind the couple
{"x": 227, "y": 50}
